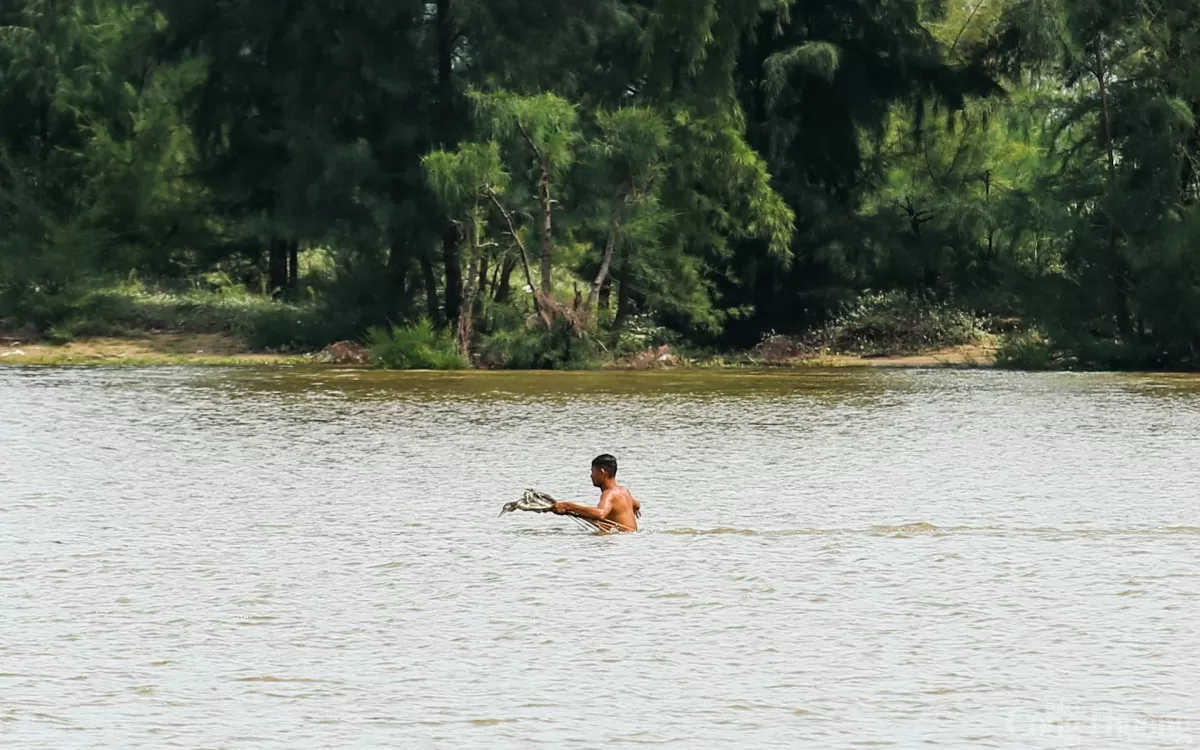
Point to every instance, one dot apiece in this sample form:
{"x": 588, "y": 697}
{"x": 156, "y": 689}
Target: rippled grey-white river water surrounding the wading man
{"x": 302, "y": 560}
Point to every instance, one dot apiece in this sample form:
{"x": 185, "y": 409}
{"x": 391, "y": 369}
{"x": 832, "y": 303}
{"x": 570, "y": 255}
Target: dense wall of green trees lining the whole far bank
{"x": 722, "y": 169}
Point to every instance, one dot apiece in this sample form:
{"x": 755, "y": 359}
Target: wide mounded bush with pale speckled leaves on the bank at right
{"x": 897, "y": 323}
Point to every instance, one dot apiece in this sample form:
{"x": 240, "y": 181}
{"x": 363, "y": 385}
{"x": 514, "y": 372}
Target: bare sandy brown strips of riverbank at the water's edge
{"x": 219, "y": 350}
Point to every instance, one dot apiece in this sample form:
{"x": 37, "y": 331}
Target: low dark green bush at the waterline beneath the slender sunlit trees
{"x": 561, "y": 347}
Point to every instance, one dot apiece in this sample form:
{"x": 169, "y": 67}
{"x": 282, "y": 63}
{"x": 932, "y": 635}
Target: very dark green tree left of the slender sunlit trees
{"x": 311, "y": 122}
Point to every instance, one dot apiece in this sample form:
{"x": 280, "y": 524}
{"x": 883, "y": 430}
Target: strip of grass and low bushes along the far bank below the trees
{"x": 255, "y": 329}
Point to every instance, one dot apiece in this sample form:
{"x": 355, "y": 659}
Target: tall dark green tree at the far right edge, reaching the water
{"x": 1120, "y": 171}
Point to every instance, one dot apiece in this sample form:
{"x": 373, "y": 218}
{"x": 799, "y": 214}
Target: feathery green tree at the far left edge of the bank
{"x": 92, "y": 159}
